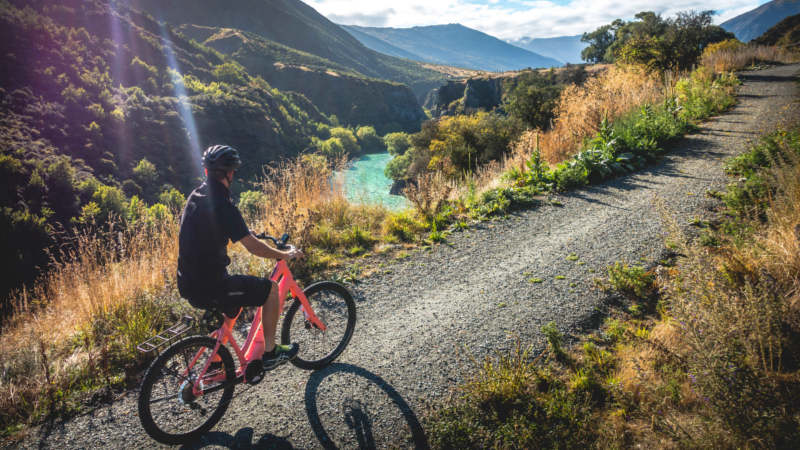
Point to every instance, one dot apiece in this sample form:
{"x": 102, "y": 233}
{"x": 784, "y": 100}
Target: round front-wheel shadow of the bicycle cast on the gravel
{"x": 359, "y": 411}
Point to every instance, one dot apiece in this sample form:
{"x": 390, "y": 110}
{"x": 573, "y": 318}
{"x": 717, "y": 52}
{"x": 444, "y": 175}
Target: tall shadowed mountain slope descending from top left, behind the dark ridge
{"x": 296, "y": 25}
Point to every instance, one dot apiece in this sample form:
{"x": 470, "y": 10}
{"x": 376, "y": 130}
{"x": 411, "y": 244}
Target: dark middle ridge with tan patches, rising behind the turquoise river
{"x": 331, "y": 87}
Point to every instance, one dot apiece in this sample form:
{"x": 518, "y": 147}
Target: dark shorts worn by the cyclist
{"x": 234, "y": 292}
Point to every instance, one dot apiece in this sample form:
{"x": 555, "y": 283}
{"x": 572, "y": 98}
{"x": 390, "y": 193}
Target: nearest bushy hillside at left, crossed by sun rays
{"x": 100, "y": 104}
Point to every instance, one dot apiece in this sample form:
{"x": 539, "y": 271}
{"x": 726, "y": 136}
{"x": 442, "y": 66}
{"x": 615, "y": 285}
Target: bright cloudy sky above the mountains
{"x": 514, "y": 19}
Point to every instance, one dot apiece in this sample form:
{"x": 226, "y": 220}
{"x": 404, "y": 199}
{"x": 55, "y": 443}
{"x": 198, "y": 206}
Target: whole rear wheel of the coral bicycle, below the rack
{"x": 169, "y": 411}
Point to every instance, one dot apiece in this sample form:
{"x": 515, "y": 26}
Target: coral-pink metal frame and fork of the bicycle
{"x": 254, "y": 344}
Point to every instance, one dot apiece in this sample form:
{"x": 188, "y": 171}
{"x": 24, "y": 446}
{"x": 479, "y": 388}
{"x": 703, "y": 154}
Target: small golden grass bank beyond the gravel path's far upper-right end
{"x": 740, "y": 57}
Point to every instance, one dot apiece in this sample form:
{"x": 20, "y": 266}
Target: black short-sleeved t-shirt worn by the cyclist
{"x": 209, "y": 221}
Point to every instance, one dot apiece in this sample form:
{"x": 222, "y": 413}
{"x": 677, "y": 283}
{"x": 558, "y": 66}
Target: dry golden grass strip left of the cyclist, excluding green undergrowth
{"x": 105, "y": 272}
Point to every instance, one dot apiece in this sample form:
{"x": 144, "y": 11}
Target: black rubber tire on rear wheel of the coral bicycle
{"x": 159, "y": 370}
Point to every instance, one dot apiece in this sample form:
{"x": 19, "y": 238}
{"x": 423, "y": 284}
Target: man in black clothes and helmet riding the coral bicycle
{"x": 209, "y": 221}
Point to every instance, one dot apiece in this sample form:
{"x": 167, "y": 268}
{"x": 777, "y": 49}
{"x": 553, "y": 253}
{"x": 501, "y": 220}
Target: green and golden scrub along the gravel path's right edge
{"x": 703, "y": 353}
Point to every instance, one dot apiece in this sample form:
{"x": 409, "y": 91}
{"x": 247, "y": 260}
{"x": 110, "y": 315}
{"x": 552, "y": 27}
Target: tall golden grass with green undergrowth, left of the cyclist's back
{"x": 54, "y": 341}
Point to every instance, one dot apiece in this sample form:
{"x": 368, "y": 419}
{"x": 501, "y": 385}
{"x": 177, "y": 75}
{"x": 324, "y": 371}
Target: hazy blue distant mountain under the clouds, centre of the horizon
{"x": 454, "y": 45}
